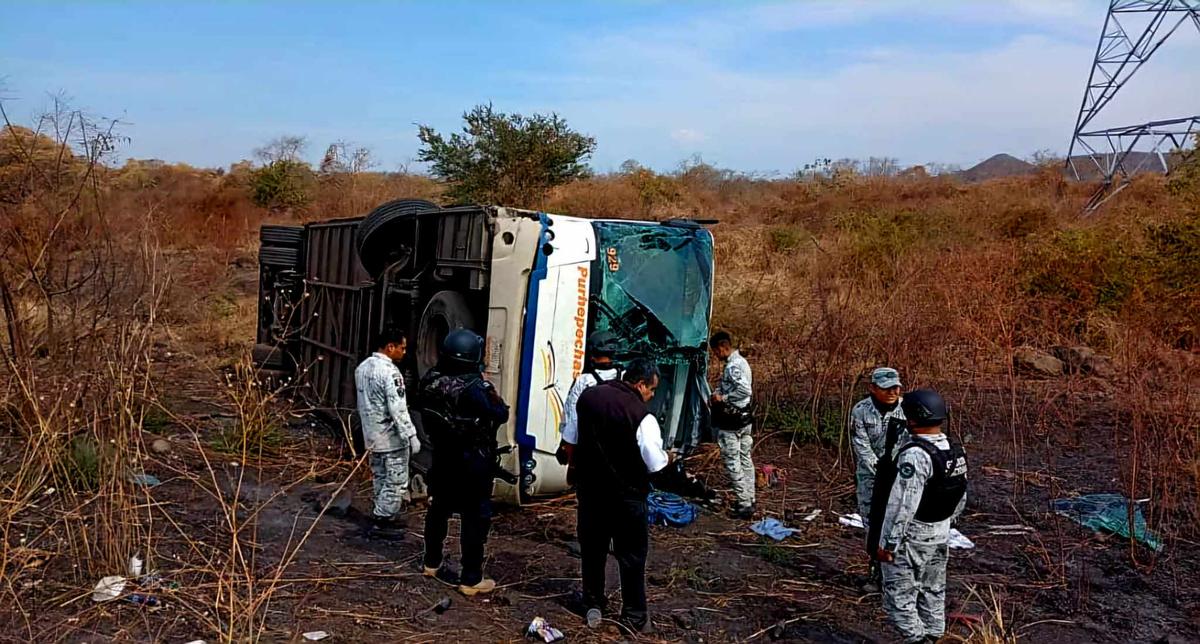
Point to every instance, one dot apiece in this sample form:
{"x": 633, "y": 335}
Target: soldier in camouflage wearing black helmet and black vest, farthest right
{"x": 927, "y": 497}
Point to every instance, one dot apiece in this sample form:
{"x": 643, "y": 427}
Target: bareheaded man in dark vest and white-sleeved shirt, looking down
{"x": 620, "y": 448}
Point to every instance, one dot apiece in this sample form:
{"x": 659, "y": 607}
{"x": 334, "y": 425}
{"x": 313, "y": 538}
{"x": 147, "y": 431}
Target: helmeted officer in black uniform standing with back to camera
{"x": 461, "y": 412}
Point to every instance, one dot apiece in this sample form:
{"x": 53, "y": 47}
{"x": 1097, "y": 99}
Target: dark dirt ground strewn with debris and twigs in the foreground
{"x": 713, "y": 581}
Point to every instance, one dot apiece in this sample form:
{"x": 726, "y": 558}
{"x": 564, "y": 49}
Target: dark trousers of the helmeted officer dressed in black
{"x": 460, "y": 487}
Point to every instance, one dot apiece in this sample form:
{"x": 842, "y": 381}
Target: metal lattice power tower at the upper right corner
{"x": 1119, "y": 56}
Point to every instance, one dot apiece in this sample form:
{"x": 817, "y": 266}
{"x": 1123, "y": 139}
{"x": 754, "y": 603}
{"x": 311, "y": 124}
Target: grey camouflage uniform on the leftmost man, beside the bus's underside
{"x": 387, "y": 430}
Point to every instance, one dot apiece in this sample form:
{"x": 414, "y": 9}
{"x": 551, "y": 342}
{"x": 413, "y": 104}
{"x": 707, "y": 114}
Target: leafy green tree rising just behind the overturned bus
{"x": 506, "y": 159}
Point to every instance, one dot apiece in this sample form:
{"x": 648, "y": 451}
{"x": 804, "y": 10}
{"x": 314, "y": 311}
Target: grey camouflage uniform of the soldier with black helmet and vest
{"x": 915, "y": 582}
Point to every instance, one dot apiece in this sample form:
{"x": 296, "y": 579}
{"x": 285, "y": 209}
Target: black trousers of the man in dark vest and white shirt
{"x": 621, "y": 523}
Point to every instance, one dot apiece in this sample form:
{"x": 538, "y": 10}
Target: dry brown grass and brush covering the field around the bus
{"x": 826, "y": 279}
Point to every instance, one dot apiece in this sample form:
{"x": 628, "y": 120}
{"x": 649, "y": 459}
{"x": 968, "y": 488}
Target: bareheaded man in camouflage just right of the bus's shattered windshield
{"x": 733, "y": 417}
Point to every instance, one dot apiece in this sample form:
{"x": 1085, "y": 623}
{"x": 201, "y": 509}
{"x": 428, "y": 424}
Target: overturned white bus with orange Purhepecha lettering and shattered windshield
{"x": 535, "y": 285}
